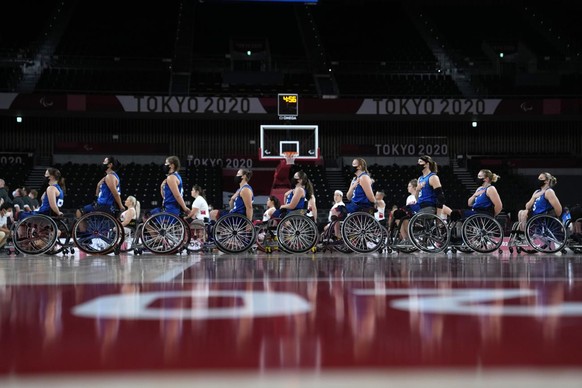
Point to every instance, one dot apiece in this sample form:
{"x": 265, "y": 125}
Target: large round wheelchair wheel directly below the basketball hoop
{"x": 297, "y": 233}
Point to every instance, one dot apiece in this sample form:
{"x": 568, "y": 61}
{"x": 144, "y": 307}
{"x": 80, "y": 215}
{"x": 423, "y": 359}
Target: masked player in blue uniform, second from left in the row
{"x": 108, "y": 191}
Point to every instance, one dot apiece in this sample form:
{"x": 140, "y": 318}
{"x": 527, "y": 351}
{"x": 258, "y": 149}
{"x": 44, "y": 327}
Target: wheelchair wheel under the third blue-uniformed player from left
{"x": 164, "y": 233}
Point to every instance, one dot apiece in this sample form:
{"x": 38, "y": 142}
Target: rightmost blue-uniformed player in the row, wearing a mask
{"x": 542, "y": 201}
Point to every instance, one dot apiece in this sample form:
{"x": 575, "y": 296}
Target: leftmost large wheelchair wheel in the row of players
{"x": 35, "y": 235}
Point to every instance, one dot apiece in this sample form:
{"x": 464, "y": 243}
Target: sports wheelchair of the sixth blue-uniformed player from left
{"x": 360, "y": 232}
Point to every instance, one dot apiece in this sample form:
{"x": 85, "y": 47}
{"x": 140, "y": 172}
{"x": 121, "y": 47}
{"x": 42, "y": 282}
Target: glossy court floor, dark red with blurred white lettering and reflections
{"x": 285, "y": 320}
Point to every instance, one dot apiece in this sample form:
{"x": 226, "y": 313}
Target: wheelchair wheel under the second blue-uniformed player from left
{"x": 97, "y": 233}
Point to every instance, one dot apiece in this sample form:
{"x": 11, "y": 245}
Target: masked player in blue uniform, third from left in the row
{"x": 171, "y": 189}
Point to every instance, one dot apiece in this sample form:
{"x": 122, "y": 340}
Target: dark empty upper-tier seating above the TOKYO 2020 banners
{"x": 124, "y": 52}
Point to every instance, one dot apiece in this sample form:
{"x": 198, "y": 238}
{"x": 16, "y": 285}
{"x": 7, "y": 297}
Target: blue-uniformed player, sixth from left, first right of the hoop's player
{"x": 360, "y": 192}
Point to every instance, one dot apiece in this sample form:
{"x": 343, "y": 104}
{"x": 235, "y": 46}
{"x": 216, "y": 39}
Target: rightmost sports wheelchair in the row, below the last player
{"x": 543, "y": 233}
